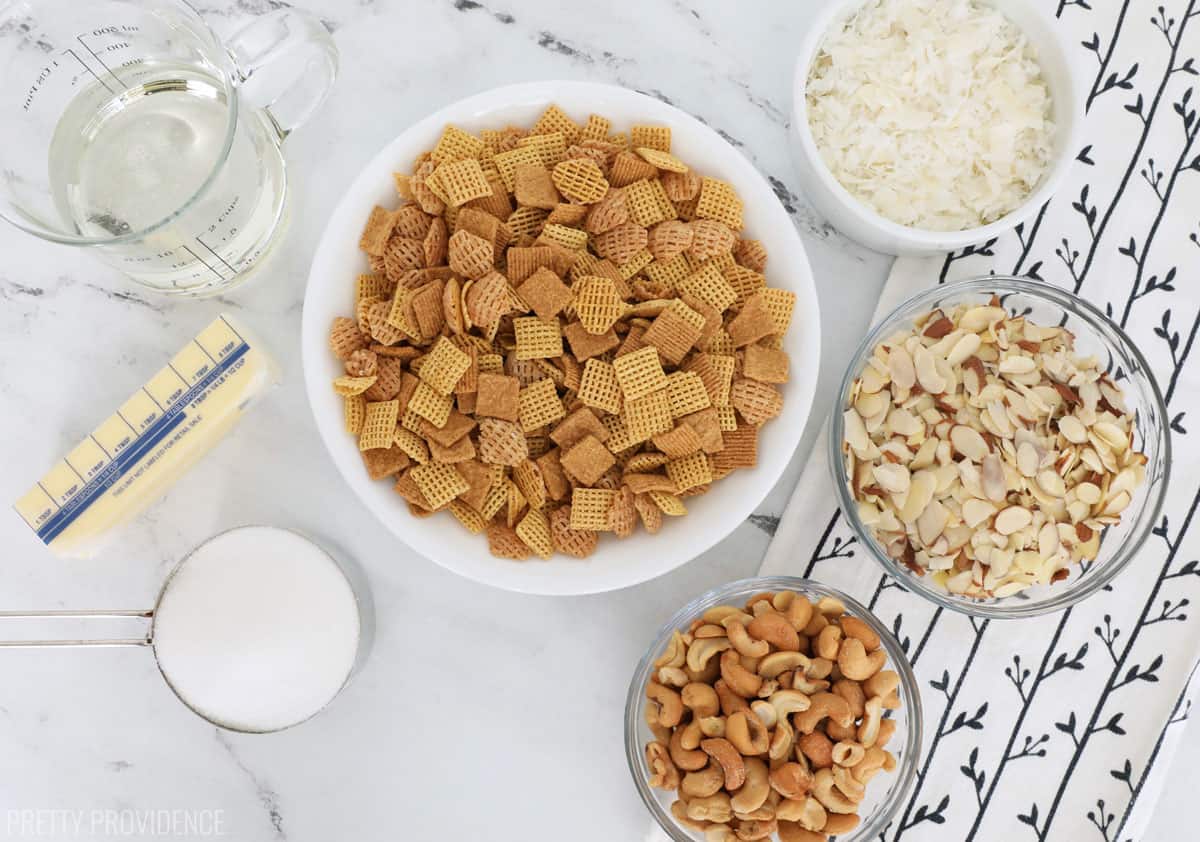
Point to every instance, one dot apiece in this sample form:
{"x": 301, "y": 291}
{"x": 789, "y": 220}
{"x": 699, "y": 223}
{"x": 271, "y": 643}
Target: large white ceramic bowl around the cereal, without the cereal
{"x": 616, "y": 564}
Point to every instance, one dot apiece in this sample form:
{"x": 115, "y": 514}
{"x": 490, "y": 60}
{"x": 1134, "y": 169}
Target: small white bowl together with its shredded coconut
{"x": 926, "y": 127}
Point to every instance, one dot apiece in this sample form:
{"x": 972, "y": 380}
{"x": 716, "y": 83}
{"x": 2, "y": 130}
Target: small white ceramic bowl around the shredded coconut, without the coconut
{"x": 863, "y": 224}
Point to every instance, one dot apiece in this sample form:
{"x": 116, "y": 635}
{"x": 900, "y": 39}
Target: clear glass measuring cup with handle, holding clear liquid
{"x": 129, "y": 128}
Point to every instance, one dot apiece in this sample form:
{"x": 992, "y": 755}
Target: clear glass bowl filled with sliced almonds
{"x": 1000, "y": 447}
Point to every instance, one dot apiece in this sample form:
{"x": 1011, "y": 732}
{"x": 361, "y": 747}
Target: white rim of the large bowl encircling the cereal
{"x": 569, "y": 576}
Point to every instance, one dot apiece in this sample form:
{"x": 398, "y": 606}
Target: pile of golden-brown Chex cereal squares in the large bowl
{"x": 559, "y": 332}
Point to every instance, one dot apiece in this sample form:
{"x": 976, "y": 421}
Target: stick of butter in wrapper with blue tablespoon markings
{"x": 130, "y": 460}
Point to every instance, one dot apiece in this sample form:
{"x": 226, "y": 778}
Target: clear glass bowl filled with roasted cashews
{"x": 773, "y": 708}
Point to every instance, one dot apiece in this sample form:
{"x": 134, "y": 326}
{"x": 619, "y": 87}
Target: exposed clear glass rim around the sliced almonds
{"x": 1103, "y": 327}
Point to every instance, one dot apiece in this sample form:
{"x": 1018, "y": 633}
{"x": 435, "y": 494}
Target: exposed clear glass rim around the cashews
{"x": 905, "y": 774}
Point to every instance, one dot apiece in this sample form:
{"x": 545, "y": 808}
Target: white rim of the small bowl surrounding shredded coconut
{"x": 925, "y": 238}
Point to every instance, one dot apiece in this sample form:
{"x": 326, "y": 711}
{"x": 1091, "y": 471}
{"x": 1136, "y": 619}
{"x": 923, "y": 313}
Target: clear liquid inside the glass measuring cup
{"x": 140, "y": 155}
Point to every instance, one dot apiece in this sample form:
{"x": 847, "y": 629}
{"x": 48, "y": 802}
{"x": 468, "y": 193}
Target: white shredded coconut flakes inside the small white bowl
{"x": 932, "y": 112}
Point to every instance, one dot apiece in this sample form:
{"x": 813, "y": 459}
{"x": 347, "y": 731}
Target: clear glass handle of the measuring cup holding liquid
{"x": 286, "y": 63}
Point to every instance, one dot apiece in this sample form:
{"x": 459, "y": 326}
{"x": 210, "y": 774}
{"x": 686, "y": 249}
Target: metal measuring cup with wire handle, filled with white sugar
{"x": 256, "y": 630}
